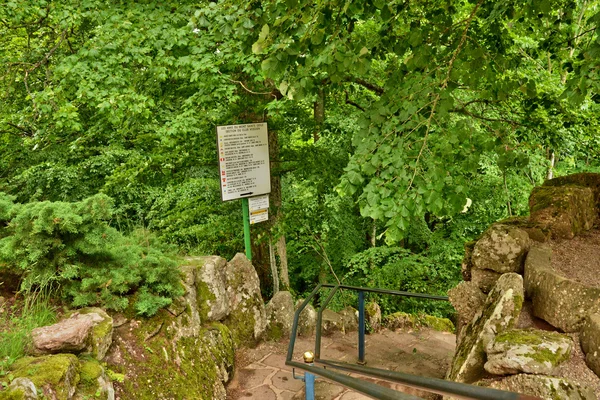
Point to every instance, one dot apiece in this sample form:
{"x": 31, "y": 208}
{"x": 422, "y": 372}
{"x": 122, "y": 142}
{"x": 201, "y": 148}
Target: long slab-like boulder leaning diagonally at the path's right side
{"x": 499, "y": 313}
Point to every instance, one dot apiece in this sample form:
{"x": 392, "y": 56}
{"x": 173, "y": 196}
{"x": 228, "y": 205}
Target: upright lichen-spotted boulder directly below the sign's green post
{"x": 247, "y": 318}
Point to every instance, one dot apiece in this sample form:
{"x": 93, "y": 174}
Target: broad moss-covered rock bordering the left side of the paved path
{"x": 161, "y": 364}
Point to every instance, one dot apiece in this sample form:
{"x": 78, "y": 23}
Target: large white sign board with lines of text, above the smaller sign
{"x": 244, "y": 168}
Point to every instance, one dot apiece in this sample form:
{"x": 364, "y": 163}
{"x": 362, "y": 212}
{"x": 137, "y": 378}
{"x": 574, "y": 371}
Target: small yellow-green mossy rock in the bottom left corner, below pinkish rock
{"x": 56, "y": 375}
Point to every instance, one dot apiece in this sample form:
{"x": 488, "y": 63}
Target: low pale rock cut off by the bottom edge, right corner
{"x": 544, "y": 387}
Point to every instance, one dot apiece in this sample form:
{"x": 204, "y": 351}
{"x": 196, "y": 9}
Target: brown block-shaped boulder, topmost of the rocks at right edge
{"x": 564, "y": 210}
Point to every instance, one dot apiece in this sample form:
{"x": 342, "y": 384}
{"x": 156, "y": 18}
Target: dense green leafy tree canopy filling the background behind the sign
{"x": 387, "y": 115}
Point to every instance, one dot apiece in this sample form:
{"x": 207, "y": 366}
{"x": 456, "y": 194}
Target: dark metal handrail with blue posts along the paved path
{"x": 433, "y": 385}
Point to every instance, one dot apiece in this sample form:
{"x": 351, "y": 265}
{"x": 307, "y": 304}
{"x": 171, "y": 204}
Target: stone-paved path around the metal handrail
{"x": 261, "y": 373}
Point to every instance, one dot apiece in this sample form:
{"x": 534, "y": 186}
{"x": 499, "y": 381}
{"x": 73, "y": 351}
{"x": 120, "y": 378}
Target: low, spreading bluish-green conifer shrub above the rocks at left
{"x": 72, "y": 244}
